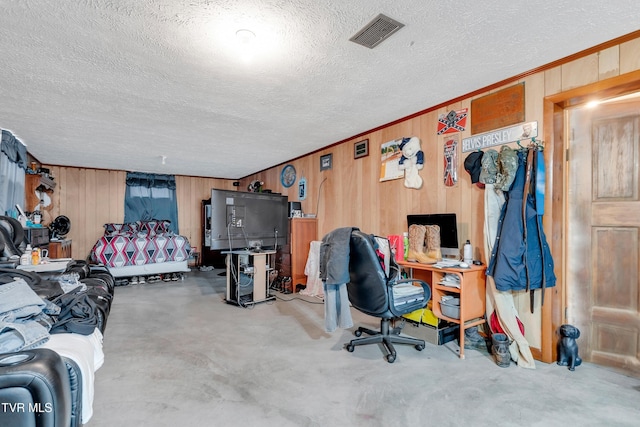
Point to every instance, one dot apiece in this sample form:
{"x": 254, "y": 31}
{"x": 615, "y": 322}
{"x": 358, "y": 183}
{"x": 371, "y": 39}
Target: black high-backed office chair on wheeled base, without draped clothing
{"x": 387, "y": 296}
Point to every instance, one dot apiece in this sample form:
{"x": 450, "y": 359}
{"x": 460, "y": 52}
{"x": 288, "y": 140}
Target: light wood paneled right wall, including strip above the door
{"x": 350, "y": 194}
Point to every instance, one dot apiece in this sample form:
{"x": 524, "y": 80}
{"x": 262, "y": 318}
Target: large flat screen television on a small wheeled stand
{"x": 248, "y": 220}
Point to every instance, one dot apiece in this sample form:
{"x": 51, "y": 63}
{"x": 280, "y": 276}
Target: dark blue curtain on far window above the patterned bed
{"x": 151, "y": 196}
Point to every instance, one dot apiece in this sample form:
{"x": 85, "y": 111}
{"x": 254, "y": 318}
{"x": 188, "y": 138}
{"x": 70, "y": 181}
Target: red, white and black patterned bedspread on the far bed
{"x": 119, "y": 248}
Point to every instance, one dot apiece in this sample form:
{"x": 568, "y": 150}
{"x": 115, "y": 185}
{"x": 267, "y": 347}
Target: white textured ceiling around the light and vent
{"x": 118, "y": 84}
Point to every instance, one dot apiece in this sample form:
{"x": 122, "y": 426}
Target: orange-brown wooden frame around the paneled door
{"x": 555, "y": 224}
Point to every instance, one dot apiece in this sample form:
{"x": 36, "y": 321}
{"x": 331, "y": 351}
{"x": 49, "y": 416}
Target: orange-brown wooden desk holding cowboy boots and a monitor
{"x": 471, "y": 293}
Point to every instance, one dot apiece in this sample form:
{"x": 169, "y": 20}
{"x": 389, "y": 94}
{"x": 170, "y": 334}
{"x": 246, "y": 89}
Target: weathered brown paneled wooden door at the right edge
{"x": 603, "y": 232}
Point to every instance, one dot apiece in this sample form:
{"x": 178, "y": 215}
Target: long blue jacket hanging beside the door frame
{"x": 521, "y": 259}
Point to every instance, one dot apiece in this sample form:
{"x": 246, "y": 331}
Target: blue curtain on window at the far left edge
{"x": 13, "y": 163}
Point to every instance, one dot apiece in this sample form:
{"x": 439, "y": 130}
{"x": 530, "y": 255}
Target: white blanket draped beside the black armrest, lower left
{"x": 86, "y": 352}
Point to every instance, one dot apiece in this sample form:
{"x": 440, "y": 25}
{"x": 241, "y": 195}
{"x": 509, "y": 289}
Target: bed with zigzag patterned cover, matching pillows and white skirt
{"x": 141, "y": 248}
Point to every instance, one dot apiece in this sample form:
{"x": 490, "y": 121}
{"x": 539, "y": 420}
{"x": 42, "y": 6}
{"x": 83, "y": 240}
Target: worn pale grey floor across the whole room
{"x": 177, "y": 355}
